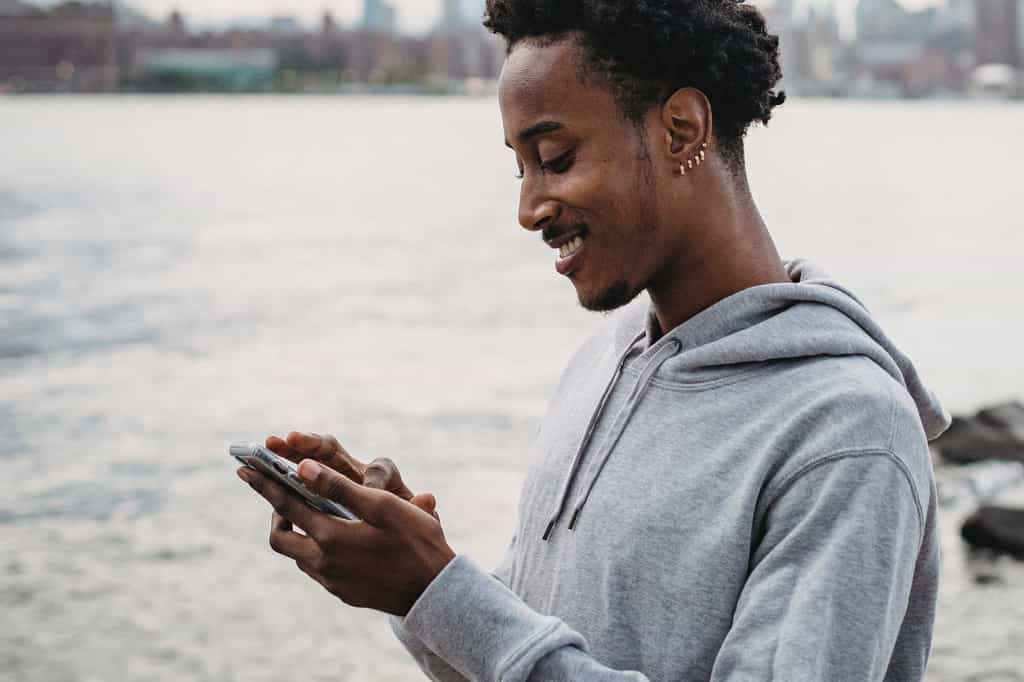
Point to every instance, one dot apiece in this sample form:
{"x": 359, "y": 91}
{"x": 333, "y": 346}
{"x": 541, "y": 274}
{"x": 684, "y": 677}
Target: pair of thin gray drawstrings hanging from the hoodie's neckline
{"x": 670, "y": 350}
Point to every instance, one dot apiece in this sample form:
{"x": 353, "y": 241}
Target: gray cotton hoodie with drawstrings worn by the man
{"x": 747, "y": 497}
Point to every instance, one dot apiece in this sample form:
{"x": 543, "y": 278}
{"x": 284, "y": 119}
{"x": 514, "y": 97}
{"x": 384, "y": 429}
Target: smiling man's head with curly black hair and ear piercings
{"x": 605, "y": 101}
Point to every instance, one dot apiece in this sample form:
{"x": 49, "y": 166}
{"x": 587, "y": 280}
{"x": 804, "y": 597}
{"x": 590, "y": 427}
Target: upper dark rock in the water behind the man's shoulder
{"x": 995, "y": 434}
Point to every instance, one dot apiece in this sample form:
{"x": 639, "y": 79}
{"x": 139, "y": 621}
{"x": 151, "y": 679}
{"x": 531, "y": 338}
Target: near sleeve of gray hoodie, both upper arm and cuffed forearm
{"x": 826, "y": 596}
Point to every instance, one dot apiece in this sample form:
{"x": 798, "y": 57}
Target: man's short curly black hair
{"x": 648, "y": 50}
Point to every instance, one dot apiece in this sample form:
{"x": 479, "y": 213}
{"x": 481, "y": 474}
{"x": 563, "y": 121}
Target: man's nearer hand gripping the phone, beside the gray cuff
{"x": 385, "y": 563}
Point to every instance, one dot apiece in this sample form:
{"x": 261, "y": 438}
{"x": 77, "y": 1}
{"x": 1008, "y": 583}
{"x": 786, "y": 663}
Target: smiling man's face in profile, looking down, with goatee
{"x": 585, "y": 169}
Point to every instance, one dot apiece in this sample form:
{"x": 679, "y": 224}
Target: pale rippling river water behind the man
{"x": 180, "y": 273}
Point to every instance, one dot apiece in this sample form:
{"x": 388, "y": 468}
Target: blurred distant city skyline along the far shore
{"x": 963, "y": 49}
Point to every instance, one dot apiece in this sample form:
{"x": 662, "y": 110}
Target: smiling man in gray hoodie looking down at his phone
{"x": 732, "y": 483}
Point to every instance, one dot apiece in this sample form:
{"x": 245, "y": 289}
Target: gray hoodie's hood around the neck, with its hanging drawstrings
{"x": 813, "y": 317}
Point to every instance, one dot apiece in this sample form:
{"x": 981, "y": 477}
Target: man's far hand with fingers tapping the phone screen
{"x": 381, "y": 475}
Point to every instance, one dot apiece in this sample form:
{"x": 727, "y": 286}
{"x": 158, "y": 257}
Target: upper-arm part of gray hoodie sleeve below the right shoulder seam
{"x": 832, "y": 577}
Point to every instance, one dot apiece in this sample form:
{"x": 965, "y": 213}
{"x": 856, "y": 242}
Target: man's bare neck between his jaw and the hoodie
{"x": 738, "y": 253}
